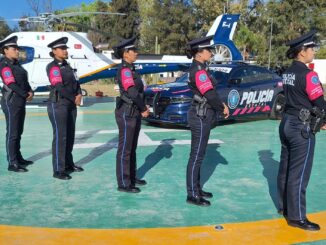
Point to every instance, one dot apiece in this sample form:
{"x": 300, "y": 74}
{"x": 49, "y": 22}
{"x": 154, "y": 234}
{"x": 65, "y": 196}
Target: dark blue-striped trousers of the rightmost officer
{"x": 297, "y": 154}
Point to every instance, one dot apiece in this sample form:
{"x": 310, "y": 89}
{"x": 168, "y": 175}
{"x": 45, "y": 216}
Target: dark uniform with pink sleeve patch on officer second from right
{"x": 202, "y": 84}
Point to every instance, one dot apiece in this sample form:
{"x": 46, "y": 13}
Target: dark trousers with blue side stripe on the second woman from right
{"x": 200, "y": 130}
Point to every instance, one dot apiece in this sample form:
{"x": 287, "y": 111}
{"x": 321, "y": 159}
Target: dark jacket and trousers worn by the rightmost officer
{"x": 302, "y": 90}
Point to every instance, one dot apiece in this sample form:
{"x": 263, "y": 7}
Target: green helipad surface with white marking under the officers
{"x": 241, "y": 172}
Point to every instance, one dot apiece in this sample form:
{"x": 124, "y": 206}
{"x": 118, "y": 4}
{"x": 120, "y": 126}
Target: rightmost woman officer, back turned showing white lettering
{"x": 303, "y": 117}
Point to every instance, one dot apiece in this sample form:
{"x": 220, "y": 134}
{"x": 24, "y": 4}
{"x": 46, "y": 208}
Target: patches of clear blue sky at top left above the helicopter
{"x": 16, "y": 8}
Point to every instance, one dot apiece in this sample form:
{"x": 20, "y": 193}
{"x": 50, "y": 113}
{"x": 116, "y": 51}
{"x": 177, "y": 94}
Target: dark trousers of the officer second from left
{"x": 63, "y": 120}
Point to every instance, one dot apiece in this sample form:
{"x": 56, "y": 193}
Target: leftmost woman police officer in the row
{"x": 15, "y": 92}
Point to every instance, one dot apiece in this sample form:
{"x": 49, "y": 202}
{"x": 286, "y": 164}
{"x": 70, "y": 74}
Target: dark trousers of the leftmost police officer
{"x": 15, "y": 118}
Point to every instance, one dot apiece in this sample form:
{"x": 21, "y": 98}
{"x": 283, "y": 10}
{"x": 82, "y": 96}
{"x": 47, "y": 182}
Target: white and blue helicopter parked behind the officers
{"x": 92, "y": 64}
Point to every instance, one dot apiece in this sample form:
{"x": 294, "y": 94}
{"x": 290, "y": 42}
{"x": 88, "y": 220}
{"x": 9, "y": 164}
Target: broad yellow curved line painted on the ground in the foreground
{"x": 274, "y": 231}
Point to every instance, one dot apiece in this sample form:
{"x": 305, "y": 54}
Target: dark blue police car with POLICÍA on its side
{"x": 248, "y": 90}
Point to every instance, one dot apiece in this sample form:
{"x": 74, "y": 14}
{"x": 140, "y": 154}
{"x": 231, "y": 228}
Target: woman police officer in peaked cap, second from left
{"x": 65, "y": 95}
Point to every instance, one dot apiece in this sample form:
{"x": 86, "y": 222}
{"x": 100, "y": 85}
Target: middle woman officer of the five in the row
{"x": 130, "y": 108}
